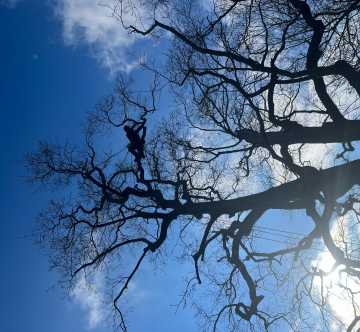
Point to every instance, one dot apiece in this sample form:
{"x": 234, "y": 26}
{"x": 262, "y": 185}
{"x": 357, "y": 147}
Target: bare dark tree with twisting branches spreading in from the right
{"x": 257, "y": 90}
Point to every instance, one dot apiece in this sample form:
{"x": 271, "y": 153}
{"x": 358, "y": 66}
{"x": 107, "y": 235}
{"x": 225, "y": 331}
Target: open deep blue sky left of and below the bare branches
{"x": 50, "y": 79}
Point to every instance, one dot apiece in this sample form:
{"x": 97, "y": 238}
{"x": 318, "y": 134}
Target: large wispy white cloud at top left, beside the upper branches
{"x": 92, "y": 22}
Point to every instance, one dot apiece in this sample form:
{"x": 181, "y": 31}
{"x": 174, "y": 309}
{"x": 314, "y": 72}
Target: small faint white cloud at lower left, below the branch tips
{"x": 90, "y": 297}
